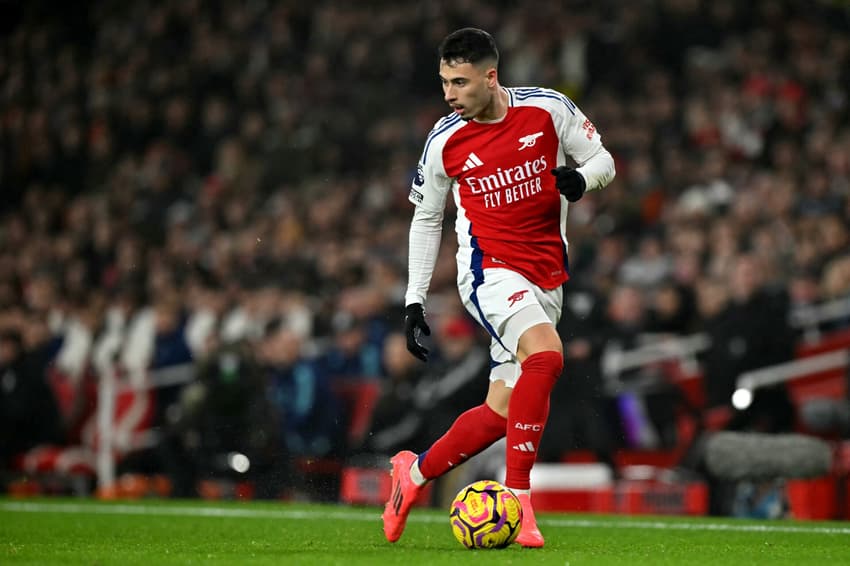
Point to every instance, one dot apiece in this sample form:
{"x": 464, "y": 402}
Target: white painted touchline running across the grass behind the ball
{"x": 364, "y": 515}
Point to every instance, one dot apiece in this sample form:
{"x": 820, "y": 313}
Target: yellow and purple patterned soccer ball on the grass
{"x": 485, "y": 514}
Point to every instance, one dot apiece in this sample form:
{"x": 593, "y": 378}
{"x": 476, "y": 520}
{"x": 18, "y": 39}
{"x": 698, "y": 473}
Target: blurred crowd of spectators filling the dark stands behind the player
{"x": 224, "y": 184}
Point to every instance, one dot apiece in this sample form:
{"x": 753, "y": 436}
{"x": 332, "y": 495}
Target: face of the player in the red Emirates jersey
{"x": 469, "y": 89}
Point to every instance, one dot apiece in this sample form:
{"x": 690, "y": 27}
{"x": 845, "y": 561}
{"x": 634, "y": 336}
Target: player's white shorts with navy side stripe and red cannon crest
{"x": 507, "y": 304}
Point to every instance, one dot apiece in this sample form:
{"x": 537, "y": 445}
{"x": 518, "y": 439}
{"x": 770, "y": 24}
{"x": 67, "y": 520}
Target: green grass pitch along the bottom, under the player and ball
{"x": 78, "y": 531}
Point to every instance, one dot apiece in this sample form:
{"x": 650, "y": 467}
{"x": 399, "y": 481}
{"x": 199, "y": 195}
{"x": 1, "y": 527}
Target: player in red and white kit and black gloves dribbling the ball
{"x": 502, "y": 153}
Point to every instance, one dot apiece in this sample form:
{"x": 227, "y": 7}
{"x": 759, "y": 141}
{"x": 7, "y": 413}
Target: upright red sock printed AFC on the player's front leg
{"x": 527, "y": 413}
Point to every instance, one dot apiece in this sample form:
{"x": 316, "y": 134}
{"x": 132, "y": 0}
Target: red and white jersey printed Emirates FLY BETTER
{"x": 510, "y": 214}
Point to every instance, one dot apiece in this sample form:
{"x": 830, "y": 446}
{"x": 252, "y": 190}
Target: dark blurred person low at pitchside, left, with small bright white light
{"x": 230, "y": 408}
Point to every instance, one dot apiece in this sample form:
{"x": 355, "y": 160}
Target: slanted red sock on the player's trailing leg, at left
{"x": 472, "y": 432}
